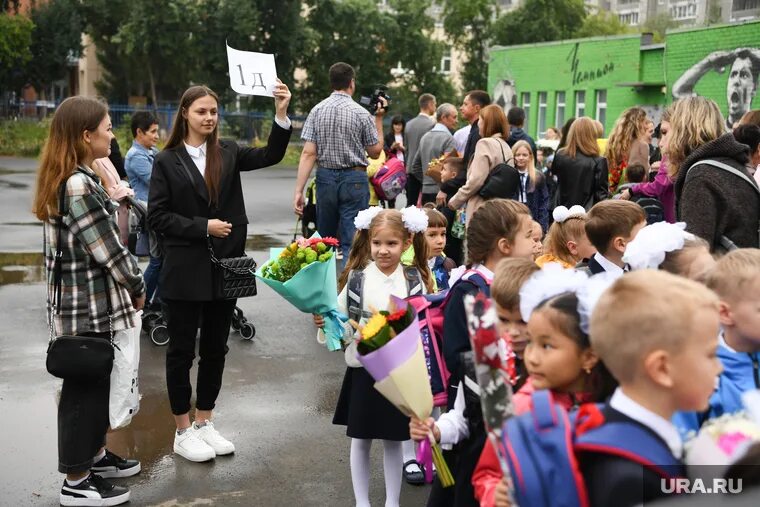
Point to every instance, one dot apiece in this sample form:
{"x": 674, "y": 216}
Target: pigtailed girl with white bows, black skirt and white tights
{"x": 381, "y": 237}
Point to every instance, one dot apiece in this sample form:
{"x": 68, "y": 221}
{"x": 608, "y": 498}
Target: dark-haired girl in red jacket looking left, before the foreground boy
{"x": 558, "y": 357}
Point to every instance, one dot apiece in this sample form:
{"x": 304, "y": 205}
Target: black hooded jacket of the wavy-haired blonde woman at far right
{"x": 714, "y": 202}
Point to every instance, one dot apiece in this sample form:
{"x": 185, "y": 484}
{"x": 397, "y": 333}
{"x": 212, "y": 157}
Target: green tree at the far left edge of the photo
{"x": 15, "y": 42}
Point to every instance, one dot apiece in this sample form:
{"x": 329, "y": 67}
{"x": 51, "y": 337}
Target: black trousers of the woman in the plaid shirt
{"x": 82, "y": 421}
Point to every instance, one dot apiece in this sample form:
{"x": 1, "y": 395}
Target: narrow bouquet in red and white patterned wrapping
{"x": 495, "y": 371}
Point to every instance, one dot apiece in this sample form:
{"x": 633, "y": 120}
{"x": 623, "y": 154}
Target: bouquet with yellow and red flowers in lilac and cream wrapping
{"x": 390, "y": 349}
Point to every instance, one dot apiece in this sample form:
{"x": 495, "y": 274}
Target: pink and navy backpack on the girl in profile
{"x": 430, "y": 309}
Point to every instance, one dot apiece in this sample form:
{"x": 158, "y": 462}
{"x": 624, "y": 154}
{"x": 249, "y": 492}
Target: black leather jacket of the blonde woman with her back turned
{"x": 582, "y": 180}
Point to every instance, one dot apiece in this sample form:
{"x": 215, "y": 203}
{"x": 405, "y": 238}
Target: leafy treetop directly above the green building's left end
{"x": 539, "y": 21}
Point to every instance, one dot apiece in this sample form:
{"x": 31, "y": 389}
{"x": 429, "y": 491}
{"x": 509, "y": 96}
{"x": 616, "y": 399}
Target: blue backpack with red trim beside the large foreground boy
{"x": 541, "y": 448}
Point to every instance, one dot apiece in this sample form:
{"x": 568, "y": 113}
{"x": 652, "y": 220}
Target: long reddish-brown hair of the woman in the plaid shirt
{"x": 65, "y": 149}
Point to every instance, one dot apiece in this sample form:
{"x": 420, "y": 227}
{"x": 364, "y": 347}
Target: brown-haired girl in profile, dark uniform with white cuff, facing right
{"x": 500, "y": 228}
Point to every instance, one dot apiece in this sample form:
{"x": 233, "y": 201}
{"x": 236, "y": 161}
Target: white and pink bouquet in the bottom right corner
{"x": 720, "y": 442}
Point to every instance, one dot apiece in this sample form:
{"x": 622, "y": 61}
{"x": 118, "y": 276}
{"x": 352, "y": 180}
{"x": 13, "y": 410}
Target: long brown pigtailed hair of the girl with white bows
{"x": 361, "y": 249}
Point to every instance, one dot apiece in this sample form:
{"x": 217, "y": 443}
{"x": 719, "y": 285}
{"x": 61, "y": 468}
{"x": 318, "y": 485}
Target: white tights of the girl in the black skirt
{"x": 392, "y": 461}
